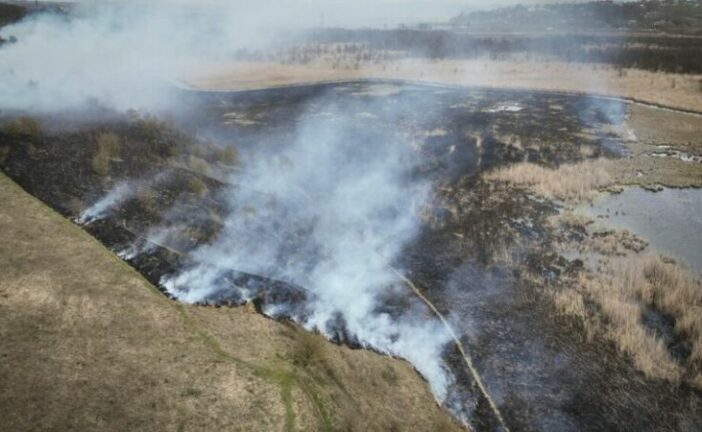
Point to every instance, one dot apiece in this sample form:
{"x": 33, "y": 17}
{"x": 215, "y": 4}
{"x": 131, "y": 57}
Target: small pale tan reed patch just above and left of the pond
{"x": 574, "y": 182}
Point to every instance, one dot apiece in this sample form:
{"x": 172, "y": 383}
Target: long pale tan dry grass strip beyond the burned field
{"x": 672, "y": 90}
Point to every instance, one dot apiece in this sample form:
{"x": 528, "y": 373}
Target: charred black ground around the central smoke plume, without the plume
{"x": 487, "y": 254}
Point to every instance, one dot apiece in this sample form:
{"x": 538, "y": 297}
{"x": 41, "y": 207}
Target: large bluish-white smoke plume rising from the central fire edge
{"x": 330, "y": 213}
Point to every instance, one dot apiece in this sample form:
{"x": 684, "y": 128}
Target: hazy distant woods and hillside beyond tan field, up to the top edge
{"x": 651, "y": 35}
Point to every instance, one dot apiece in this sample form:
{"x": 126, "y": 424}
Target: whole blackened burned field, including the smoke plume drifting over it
{"x": 221, "y": 202}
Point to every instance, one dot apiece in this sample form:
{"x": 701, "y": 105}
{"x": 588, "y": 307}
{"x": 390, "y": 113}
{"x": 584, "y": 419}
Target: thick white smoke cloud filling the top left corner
{"x": 125, "y": 55}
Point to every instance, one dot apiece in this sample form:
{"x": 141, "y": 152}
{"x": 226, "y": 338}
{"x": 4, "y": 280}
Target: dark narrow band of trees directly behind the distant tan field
{"x": 679, "y": 54}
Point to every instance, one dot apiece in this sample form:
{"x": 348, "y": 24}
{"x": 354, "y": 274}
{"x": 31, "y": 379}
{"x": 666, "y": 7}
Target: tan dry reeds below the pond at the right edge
{"x": 612, "y": 302}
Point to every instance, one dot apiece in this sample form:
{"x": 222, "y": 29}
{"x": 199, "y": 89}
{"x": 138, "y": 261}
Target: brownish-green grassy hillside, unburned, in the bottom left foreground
{"x": 87, "y": 344}
